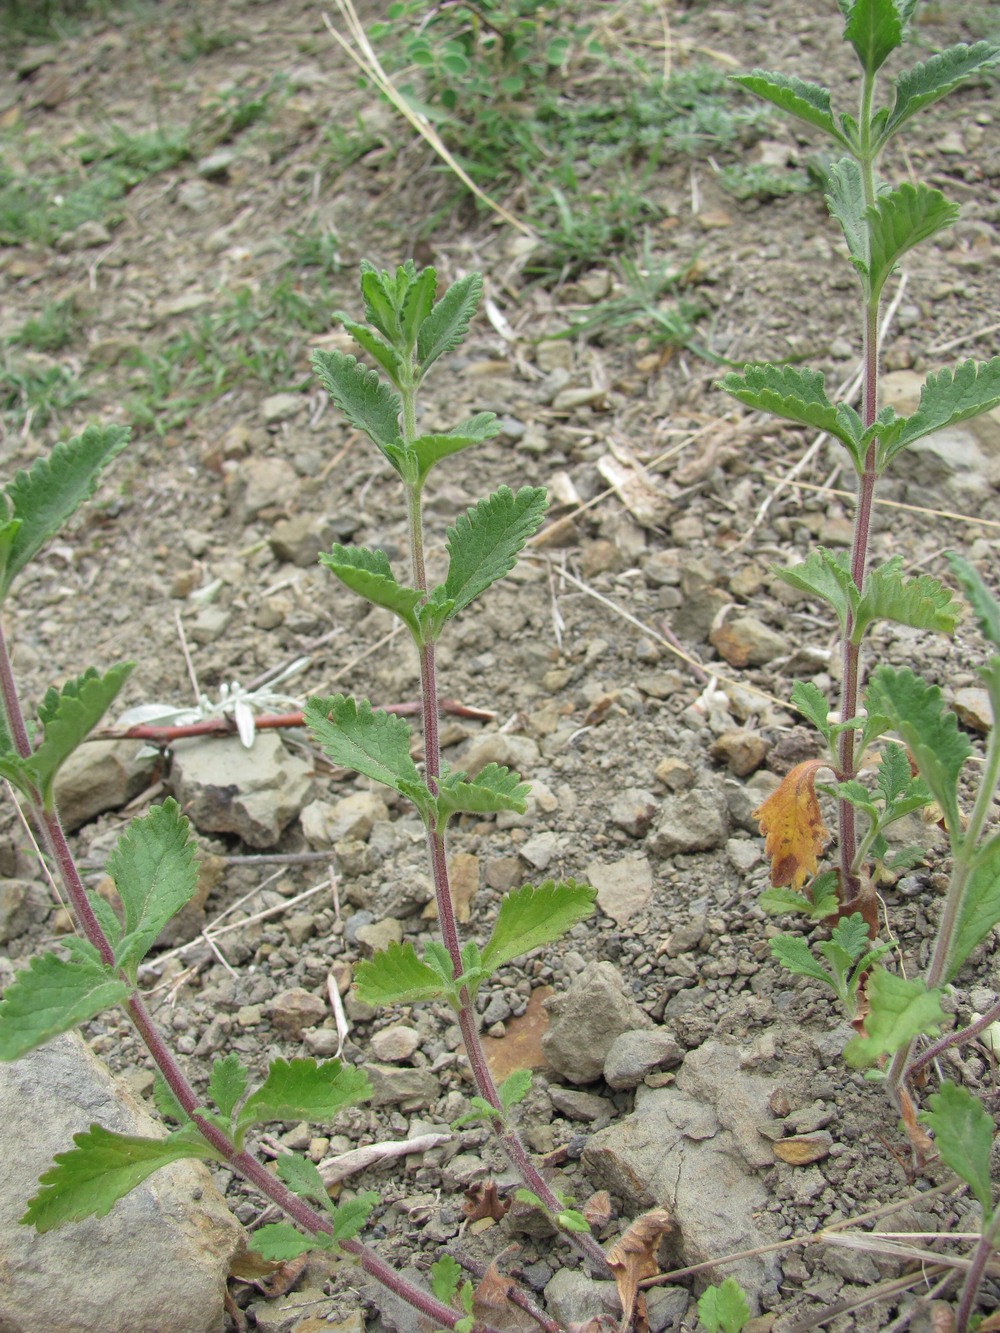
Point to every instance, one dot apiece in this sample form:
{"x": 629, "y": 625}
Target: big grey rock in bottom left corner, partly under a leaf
{"x": 95, "y": 1275}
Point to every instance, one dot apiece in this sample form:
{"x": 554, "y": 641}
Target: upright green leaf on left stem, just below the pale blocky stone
{"x": 155, "y": 872}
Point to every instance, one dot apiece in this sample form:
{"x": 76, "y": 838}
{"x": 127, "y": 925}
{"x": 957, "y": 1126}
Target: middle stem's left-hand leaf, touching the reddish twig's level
{"x": 373, "y": 742}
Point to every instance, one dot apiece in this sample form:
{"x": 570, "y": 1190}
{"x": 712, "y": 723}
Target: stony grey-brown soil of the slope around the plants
{"x": 677, "y": 1066}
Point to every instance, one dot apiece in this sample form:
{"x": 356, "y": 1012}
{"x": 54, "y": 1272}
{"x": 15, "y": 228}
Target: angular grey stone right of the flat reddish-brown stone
{"x": 587, "y": 1020}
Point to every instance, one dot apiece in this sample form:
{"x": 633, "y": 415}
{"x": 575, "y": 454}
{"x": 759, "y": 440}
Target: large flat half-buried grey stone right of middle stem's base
{"x": 686, "y": 1148}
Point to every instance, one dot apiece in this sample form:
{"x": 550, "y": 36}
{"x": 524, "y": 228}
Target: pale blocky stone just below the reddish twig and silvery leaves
{"x": 226, "y": 788}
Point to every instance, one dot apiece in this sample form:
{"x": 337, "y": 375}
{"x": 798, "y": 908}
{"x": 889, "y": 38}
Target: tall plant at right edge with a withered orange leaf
{"x": 881, "y": 223}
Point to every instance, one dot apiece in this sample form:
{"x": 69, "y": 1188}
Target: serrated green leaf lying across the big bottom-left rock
{"x": 89, "y": 1180}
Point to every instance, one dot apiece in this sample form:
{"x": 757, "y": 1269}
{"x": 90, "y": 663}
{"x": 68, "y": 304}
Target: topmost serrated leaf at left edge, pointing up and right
{"x": 42, "y": 499}
